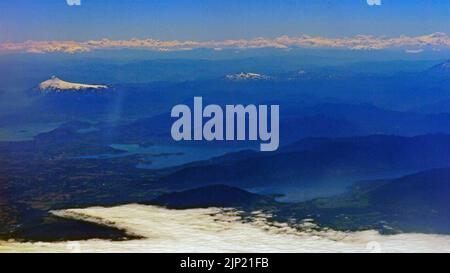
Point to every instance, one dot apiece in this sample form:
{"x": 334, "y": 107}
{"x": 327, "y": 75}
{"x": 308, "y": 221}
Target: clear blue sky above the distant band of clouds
{"x": 21, "y": 20}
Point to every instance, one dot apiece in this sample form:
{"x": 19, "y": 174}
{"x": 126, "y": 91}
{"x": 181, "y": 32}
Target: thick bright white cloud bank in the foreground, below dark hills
{"x": 214, "y": 230}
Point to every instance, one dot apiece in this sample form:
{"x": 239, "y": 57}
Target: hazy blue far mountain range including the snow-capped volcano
{"x": 296, "y": 87}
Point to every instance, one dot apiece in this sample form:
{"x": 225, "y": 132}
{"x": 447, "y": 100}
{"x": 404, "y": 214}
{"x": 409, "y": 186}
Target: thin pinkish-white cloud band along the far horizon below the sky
{"x": 359, "y": 42}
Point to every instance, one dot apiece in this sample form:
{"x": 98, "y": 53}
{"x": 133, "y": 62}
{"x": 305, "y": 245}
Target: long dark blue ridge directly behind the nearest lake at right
{"x": 319, "y": 161}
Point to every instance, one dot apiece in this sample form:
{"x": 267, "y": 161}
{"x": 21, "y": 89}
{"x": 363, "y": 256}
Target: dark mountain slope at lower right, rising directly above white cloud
{"x": 414, "y": 203}
